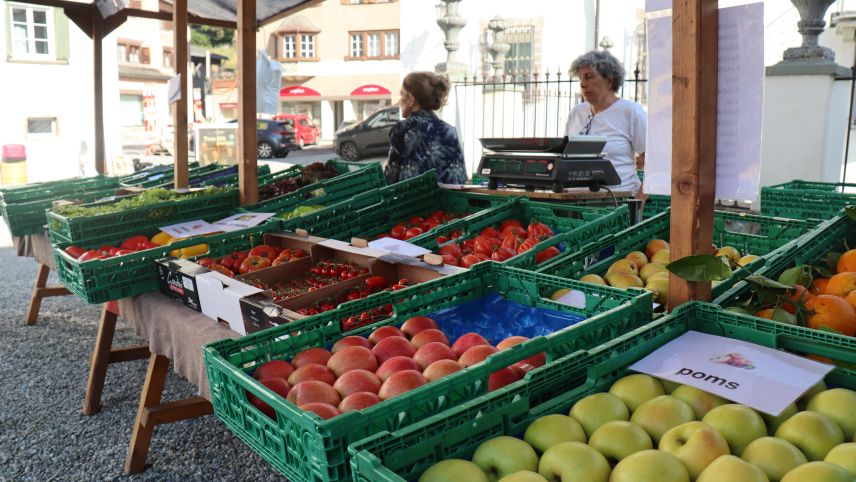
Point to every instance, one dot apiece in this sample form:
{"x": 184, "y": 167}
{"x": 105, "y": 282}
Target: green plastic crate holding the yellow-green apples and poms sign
{"x": 398, "y": 456}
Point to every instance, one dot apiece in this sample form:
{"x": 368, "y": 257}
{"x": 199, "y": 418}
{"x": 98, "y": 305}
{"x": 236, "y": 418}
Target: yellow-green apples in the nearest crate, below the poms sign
{"x": 697, "y": 435}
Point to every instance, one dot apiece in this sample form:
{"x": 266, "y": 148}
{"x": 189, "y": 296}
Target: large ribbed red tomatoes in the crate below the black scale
{"x": 498, "y": 244}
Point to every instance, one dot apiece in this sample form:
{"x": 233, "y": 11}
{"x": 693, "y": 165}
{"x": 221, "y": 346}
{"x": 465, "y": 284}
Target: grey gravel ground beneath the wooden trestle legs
{"x": 43, "y": 369}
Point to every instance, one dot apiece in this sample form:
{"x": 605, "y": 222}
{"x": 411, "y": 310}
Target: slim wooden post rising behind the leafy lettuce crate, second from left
{"x": 179, "y": 119}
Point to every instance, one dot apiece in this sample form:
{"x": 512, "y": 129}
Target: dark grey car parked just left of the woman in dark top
{"x": 370, "y": 136}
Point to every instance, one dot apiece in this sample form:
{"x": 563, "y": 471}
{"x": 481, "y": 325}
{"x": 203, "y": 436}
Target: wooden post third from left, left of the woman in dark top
{"x": 247, "y": 134}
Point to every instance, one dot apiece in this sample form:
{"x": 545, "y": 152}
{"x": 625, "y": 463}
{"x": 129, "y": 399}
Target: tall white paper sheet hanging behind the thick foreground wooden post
{"x": 739, "y": 104}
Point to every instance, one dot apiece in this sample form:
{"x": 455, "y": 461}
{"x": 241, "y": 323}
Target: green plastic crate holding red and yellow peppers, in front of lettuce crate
{"x": 102, "y": 280}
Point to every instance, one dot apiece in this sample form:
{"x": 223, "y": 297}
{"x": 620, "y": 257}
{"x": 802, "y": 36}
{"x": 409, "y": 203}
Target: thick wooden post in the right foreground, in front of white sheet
{"x": 694, "y": 83}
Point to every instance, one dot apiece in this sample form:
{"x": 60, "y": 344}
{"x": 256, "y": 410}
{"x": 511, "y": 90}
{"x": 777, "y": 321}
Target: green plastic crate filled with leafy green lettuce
{"x": 123, "y": 224}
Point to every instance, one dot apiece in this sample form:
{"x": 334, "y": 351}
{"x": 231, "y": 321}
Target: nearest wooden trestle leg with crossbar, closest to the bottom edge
{"x": 151, "y": 413}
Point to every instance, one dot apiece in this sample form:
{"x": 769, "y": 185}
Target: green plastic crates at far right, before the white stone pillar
{"x": 806, "y": 199}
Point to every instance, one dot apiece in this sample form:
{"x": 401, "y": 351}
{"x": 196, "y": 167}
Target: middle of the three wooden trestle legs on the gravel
{"x": 103, "y": 355}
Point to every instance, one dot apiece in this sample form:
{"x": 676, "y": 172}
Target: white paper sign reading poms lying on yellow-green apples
{"x": 763, "y": 378}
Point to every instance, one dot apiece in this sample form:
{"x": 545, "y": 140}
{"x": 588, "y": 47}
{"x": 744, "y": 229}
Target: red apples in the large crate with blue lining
{"x": 359, "y": 372}
